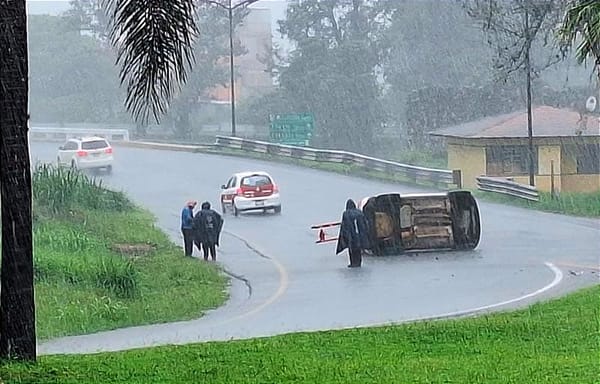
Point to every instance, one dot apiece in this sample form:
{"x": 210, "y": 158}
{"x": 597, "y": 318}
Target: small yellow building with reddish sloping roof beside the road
{"x": 566, "y": 145}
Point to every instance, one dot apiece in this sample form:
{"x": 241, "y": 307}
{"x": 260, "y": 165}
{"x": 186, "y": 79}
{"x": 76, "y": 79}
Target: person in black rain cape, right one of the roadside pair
{"x": 207, "y": 227}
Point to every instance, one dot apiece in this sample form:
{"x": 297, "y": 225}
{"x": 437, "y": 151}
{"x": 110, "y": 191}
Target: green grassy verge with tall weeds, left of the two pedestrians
{"x": 100, "y": 262}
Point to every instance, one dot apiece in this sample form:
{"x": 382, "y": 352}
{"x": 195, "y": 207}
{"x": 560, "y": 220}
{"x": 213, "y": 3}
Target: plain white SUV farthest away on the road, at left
{"x": 86, "y": 153}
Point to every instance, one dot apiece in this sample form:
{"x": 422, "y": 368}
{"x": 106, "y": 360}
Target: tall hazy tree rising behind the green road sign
{"x": 334, "y": 67}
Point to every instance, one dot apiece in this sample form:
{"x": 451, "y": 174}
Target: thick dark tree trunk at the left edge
{"x": 17, "y": 307}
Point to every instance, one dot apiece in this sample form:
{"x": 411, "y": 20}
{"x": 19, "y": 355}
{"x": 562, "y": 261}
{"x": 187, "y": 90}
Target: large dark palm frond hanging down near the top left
{"x": 154, "y": 41}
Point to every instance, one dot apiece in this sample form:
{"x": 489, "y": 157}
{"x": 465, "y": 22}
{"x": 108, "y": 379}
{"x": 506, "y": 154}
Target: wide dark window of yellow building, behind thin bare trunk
{"x": 513, "y": 160}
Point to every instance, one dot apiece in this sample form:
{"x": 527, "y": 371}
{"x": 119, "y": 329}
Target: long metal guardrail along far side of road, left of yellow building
{"x": 436, "y": 176}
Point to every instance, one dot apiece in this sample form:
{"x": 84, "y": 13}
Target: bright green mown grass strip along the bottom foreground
{"x": 552, "y": 342}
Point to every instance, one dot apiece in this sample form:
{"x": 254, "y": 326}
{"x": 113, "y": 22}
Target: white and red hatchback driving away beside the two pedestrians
{"x": 250, "y": 191}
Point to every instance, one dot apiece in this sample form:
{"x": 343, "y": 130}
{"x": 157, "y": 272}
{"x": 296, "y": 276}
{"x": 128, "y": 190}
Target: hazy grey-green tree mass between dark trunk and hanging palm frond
{"x": 73, "y": 78}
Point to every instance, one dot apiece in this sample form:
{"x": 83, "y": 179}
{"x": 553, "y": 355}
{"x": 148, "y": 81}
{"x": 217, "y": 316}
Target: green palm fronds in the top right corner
{"x": 581, "y": 24}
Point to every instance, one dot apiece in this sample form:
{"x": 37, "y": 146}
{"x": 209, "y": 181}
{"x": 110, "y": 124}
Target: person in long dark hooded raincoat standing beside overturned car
{"x": 353, "y": 234}
